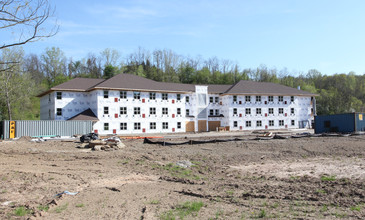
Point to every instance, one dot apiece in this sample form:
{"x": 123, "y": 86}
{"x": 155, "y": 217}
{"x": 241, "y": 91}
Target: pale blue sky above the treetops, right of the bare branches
{"x": 300, "y": 35}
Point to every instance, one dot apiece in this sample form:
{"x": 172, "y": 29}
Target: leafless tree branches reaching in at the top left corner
{"x": 26, "y": 20}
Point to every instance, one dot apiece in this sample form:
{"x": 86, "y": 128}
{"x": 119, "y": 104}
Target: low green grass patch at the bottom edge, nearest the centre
{"x": 183, "y": 210}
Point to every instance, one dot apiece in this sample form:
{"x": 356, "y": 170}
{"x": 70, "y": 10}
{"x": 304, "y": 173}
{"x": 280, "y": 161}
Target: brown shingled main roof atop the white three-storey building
{"x": 134, "y": 82}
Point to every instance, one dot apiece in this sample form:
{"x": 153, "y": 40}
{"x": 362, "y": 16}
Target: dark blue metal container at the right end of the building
{"x": 341, "y": 123}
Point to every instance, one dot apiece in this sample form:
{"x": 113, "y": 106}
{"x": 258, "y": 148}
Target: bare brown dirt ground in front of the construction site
{"x": 306, "y": 178}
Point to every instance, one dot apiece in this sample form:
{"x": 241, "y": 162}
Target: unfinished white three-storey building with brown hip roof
{"x": 129, "y": 104}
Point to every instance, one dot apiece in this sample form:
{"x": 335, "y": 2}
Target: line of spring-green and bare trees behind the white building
{"x": 23, "y": 76}
